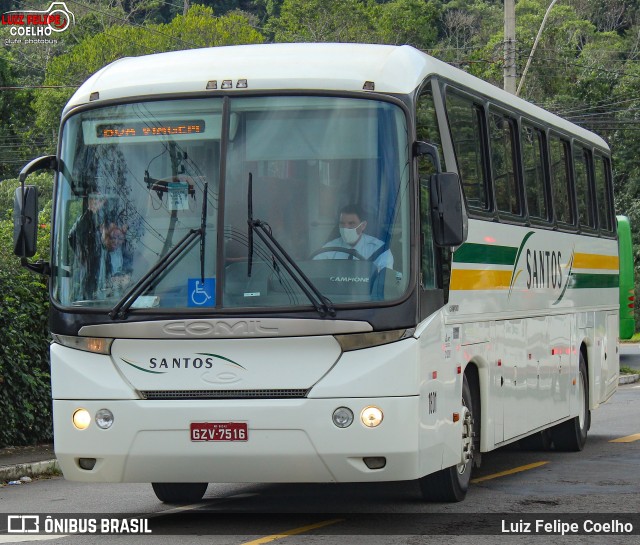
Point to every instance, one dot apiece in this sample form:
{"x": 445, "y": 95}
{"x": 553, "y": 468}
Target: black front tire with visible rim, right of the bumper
{"x": 451, "y": 484}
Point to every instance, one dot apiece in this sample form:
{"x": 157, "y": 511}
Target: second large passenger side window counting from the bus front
{"x": 503, "y": 164}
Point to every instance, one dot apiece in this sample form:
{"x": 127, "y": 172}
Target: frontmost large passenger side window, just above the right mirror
{"x": 465, "y": 125}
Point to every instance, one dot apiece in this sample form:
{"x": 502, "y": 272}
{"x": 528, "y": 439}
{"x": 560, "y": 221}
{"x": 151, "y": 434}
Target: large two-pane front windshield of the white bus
{"x": 327, "y": 177}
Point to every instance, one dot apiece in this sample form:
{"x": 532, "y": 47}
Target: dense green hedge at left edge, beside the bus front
{"x": 25, "y": 392}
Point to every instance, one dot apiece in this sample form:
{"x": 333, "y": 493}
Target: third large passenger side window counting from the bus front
{"x": 534, "y": 172}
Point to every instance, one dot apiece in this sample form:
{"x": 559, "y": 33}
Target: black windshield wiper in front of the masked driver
{"x": 321, "y": 303}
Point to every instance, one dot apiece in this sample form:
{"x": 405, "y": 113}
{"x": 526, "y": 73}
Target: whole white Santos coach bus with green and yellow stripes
{"x": 319, "y": 263}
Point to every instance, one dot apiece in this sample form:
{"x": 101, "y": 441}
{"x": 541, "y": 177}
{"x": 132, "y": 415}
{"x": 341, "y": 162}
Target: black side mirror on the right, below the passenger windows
{"x": 448, "y": 213}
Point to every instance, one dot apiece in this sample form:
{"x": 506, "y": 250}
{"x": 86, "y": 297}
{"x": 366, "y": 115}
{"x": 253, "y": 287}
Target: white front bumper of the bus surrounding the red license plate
{"x": 288, "y": 441}
